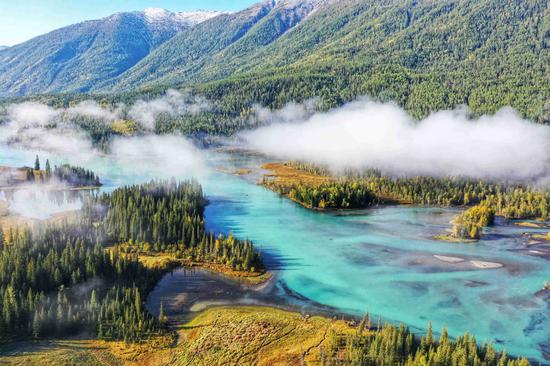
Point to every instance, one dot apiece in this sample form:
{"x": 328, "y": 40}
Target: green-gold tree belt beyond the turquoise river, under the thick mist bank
{"x": 360, "y": 189}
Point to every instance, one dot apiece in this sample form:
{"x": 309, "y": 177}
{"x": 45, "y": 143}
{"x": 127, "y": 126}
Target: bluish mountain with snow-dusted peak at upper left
{"x": 78, "y": 57}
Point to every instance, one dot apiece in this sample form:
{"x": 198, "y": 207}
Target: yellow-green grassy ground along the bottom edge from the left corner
{"x": 218, "y": 336}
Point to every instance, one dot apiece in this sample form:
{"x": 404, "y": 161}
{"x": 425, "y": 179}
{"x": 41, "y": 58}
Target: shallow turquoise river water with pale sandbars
{"x": 379, "y": 260}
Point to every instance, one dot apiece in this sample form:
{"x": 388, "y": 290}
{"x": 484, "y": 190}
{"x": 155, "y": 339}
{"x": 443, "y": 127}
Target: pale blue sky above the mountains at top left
{"x": 21, "y": 20}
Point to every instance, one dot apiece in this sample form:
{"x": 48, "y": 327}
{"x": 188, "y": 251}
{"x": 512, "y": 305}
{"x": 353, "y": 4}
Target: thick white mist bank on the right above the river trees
{"x": 366, "y": 134}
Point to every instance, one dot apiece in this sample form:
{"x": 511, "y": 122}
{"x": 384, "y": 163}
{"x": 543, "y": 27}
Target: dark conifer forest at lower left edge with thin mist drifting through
{"x": 60, "y": 281}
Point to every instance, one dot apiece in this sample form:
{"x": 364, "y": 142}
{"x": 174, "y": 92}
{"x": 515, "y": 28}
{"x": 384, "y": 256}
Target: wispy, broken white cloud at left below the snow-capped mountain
{"x": 38, "y": 127}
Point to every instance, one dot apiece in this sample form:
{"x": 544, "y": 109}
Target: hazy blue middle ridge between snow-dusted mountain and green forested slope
{"x": 223, "y": 41}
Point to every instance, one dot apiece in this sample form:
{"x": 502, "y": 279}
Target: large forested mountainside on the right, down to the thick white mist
{"x": 424, "y": 55}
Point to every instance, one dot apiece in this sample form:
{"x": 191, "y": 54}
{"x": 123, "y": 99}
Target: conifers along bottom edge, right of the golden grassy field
{"x": 392, "y": 345}
